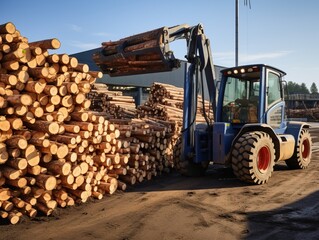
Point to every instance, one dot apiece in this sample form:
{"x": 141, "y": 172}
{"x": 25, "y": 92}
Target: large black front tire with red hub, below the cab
{"x": 253, "y": 157}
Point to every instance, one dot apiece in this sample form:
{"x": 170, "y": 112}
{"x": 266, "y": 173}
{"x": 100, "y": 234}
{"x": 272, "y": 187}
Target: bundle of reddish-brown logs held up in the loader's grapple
{"x": 142, "y": 53}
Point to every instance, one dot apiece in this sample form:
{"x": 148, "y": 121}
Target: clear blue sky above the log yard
{"x": 282, "y": 33}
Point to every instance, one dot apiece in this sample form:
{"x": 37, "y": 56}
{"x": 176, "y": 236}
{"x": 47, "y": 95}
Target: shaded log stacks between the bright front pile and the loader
{"x": 153, "y": 137}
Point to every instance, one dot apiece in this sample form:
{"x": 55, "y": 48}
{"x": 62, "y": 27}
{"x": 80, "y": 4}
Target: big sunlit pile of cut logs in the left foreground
{"x": 53, "y": 151}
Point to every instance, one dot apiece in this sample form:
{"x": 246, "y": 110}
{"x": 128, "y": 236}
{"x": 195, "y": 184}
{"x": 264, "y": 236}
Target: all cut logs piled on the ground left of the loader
{"x": 62, "y": 142}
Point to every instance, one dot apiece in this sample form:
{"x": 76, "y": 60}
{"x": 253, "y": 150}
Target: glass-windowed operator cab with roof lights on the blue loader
{"x": 251, "y": 94}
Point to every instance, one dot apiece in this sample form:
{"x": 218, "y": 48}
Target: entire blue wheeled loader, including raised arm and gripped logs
{"x": 249, "y": 132}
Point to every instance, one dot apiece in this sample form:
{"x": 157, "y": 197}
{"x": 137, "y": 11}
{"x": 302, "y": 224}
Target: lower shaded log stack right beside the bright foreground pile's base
{"x": 145, "y": 143}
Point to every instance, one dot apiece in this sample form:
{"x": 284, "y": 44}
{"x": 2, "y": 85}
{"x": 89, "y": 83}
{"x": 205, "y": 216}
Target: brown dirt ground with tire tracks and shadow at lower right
{"x": 215, "y": 206}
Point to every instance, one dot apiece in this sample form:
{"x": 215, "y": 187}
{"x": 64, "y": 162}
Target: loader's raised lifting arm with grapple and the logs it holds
{"x": 150, "y": 52}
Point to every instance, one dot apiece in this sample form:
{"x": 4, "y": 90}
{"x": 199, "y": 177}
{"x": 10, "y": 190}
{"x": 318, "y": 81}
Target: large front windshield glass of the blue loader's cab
{"x": 241, "y": 99}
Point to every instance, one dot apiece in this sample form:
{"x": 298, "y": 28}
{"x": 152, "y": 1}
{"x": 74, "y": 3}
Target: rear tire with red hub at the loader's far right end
{"x": 303, "y": 151}
